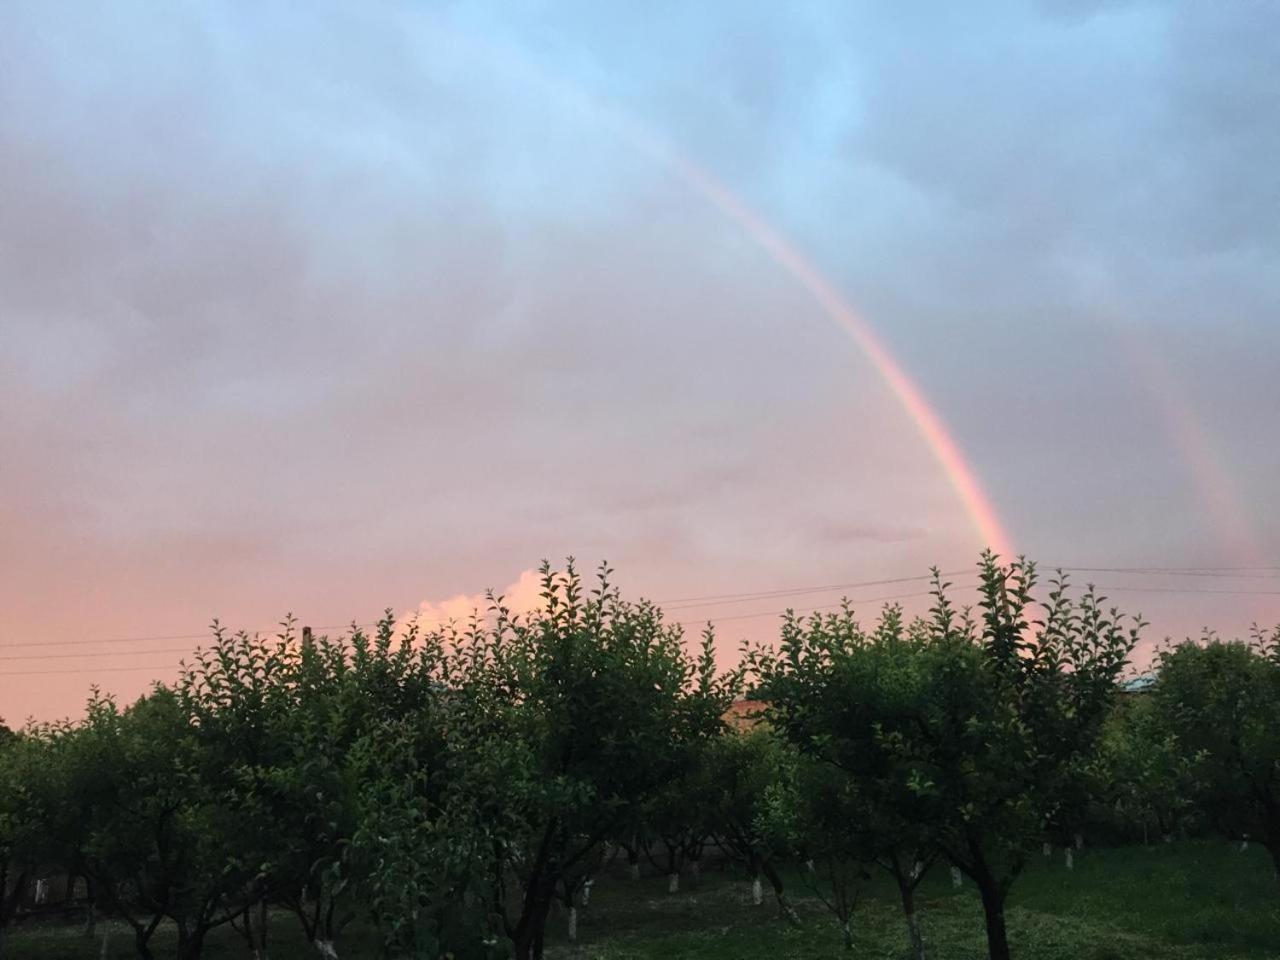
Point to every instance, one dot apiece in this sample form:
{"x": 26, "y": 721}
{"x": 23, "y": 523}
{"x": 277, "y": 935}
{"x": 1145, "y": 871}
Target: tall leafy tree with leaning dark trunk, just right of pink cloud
{"x": 604, "y": 700}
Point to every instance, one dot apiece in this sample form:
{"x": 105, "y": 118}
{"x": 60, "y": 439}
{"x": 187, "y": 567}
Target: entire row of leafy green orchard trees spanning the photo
{"x": 429, "y": 794}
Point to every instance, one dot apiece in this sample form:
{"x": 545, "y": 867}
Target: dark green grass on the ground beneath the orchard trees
{"x": 1201, "y": 900}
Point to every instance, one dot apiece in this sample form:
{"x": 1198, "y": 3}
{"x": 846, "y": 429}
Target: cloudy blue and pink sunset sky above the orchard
{"x": 331, "y": 309}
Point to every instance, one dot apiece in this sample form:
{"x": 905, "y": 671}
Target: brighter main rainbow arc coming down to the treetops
{"x": 927, "y": 420}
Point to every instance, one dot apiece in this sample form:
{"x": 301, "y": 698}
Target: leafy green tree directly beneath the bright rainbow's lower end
{"x": 972, "y": 737}
